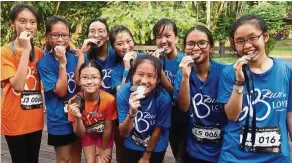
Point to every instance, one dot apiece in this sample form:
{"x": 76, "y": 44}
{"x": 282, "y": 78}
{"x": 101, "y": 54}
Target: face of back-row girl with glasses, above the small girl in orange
{"x": 97, "y": 30}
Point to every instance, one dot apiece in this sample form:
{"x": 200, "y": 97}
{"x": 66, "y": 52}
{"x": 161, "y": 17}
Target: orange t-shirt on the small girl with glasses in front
{"x": 97, "y": 112}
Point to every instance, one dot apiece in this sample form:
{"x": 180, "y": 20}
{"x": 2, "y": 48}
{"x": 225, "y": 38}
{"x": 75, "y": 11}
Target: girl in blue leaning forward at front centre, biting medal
{"x": 144, "y": 114}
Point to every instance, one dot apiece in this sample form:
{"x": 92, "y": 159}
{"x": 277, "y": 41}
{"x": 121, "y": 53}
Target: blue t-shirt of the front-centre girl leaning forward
{"x": 155, "y": 111}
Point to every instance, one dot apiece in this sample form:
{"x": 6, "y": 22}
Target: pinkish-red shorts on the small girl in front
{"x": 90, "y": 139}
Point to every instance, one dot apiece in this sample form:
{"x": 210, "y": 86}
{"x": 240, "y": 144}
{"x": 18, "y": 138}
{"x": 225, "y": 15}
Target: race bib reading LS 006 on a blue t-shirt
{"x": 211, "y": 134}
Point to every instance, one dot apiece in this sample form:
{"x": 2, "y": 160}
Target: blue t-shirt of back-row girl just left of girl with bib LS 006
{"x": 170, "y": 68}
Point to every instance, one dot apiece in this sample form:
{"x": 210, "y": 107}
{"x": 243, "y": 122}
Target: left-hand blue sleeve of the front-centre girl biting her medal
{"x": 122, "y": 104}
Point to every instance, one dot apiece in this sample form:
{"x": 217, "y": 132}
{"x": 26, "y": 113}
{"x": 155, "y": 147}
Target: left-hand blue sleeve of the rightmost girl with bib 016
{"x": 225, "y": 86}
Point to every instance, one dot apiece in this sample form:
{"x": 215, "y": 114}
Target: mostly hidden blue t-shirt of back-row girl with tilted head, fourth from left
{"x": 117, "y": 74}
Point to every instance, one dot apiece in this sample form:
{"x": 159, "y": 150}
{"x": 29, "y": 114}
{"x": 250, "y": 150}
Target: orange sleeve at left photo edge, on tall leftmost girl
{"x": 8, "y": 67}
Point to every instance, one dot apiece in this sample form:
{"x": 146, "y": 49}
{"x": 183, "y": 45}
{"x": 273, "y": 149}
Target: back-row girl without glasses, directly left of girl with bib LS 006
{"x": 166, "y": 37}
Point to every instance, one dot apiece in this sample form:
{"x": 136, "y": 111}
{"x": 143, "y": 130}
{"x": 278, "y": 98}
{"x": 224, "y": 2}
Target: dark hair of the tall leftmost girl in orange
{"x": 13, "y": 15}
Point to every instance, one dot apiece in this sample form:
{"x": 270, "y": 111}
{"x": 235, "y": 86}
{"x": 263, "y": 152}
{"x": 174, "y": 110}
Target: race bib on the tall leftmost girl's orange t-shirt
{"x": 31, "y": 100}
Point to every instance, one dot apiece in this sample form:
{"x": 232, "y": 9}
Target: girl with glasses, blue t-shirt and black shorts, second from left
{"x": 56, "y": 71}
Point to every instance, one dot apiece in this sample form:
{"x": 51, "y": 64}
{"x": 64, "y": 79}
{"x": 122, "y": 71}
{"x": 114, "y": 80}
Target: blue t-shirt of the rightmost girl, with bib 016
{"x": 273, "y": 93}
